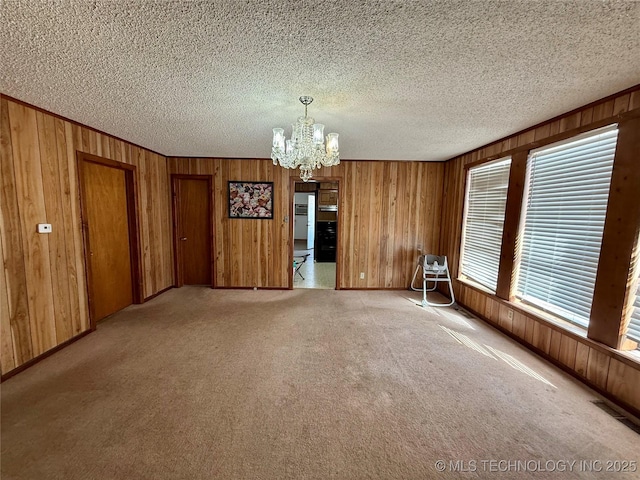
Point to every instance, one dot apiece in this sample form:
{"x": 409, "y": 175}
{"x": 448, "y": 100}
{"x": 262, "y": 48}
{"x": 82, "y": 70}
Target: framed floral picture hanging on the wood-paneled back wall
{"x": 251, "y": 200}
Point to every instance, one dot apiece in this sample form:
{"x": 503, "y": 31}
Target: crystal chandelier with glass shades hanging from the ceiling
{"x": 305, "y": 149}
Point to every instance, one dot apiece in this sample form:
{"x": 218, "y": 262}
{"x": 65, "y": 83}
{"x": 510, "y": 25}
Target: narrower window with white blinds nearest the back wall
{"x": 486, "y": 197}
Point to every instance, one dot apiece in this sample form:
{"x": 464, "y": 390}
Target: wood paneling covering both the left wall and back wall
{"x": 386, "y": 210}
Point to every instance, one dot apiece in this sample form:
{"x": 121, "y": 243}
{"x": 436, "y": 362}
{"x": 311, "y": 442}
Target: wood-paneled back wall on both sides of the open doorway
{"x": 386, "y": 209}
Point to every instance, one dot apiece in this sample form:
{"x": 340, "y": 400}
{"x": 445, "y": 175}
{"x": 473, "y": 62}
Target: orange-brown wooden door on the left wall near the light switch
{"x": 106, "y": 222}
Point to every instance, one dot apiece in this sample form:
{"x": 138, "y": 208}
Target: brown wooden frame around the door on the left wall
{"x": 131, "y": 192}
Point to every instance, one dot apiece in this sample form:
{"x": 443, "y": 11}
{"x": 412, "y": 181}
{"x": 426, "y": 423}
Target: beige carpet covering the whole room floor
{"x": 302, "y": 384}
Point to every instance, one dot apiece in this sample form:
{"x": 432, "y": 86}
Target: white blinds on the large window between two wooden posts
{"x": 564, "y": 220}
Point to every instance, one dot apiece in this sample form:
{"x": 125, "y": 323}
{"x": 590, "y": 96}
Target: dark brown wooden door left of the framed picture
{"x": 193, "y": 230}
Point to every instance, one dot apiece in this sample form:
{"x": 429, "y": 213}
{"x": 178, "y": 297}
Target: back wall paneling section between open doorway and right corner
{"x": 387, "y": 209}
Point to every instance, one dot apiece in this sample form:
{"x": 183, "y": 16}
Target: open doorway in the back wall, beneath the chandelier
{"x": 315, "y": 234}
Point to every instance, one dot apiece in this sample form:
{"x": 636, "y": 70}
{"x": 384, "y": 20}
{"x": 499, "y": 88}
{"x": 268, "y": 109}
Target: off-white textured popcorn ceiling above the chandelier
{"x": 397, "y": 79}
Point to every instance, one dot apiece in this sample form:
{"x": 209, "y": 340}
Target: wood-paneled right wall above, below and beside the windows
{"x": 611, "y": 372}
